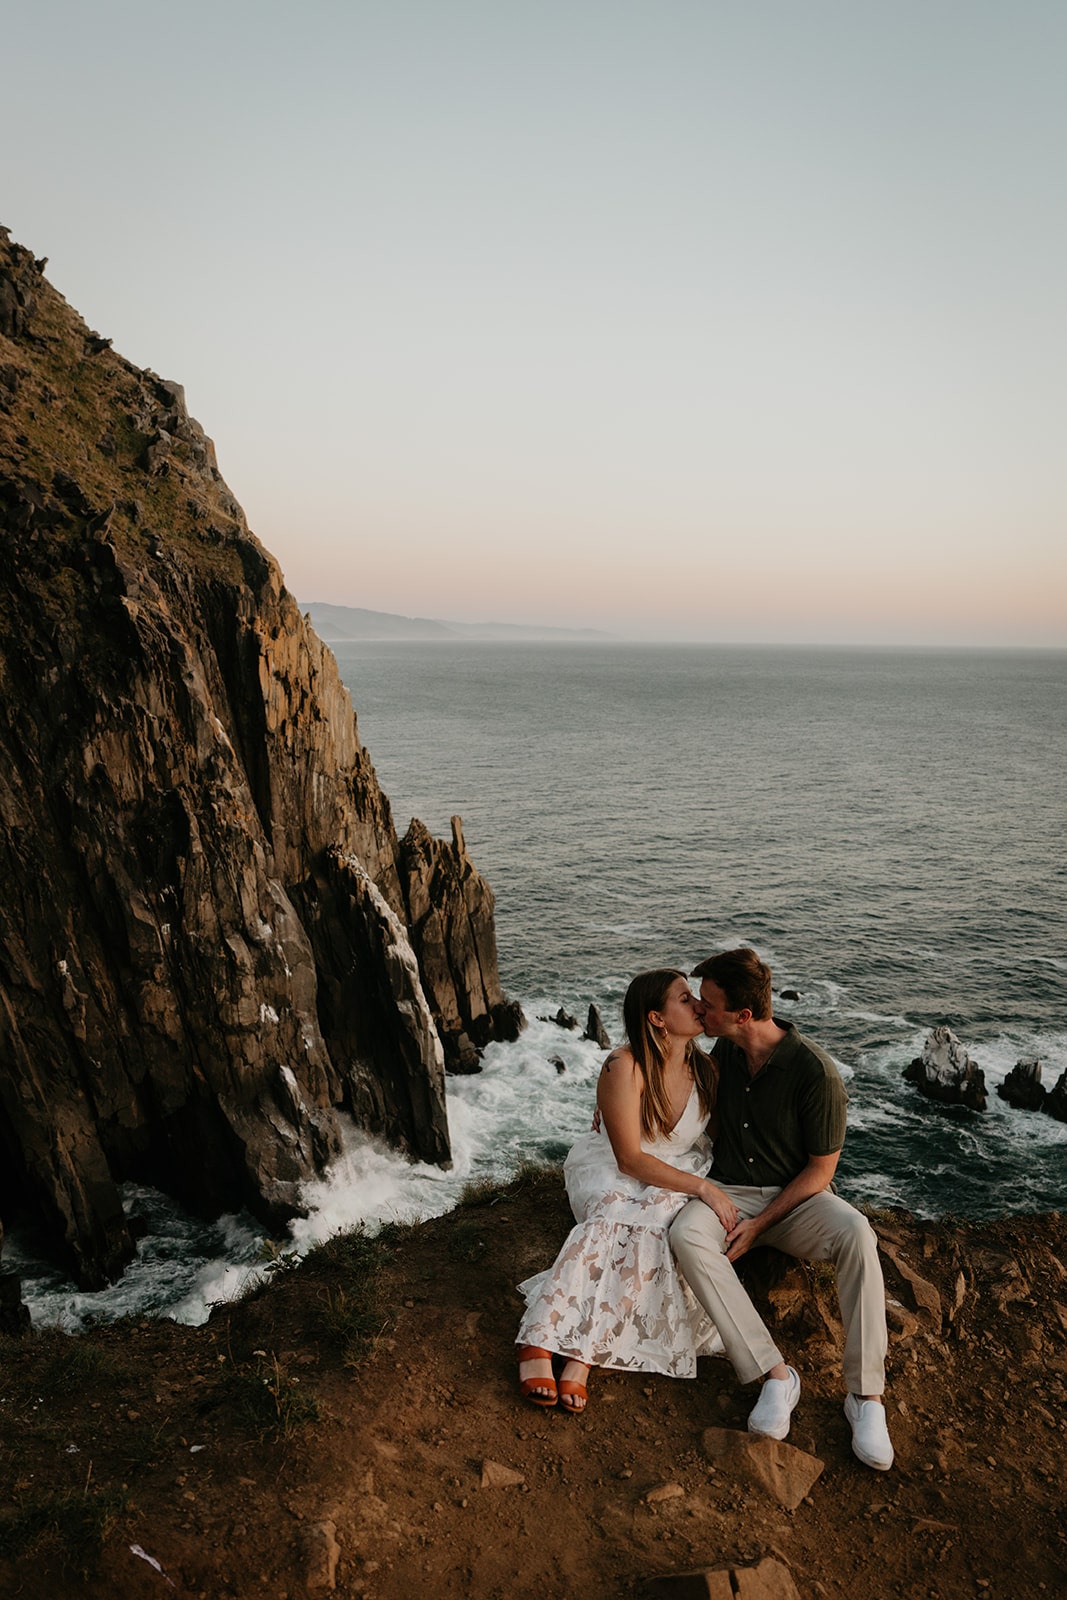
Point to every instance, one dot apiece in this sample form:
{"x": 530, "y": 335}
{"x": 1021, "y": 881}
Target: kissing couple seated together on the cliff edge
{"x": 693, "y": 1161}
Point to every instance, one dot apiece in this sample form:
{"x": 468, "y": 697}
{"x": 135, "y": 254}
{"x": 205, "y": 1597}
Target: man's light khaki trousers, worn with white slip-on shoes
{"x": 823, "y": 1228}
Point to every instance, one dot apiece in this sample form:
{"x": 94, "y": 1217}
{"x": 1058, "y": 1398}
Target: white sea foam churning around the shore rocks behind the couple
{"x": 522, "y": 1108}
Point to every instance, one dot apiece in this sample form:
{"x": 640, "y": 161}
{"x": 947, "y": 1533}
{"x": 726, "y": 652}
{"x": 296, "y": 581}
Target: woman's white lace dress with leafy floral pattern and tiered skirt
{"x": 615, "y": 1297}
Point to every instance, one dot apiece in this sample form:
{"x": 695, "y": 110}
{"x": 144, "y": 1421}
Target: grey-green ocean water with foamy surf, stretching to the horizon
{"x": 887, "y": 828}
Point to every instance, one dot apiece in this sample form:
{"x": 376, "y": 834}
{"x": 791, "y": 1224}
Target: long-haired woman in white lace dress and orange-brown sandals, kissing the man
{"x": 615, "y": 1297}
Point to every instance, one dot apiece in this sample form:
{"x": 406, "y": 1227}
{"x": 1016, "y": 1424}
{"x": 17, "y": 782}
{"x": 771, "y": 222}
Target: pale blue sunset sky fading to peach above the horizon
{"x": 687, "y": 321}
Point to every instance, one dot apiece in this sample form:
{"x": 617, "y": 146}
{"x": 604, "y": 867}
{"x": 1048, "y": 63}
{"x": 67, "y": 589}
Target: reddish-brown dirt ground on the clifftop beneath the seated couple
{"x": 289, "y": 1444}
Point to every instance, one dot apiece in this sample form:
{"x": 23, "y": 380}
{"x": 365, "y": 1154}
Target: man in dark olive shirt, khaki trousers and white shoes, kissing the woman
{"x": 780, "y": 1132}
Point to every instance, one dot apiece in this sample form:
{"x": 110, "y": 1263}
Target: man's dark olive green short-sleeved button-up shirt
{"x": 770, "y": 1124}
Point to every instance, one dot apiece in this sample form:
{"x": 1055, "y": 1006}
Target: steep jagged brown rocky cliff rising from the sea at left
{"x": 206, "y": 916}
